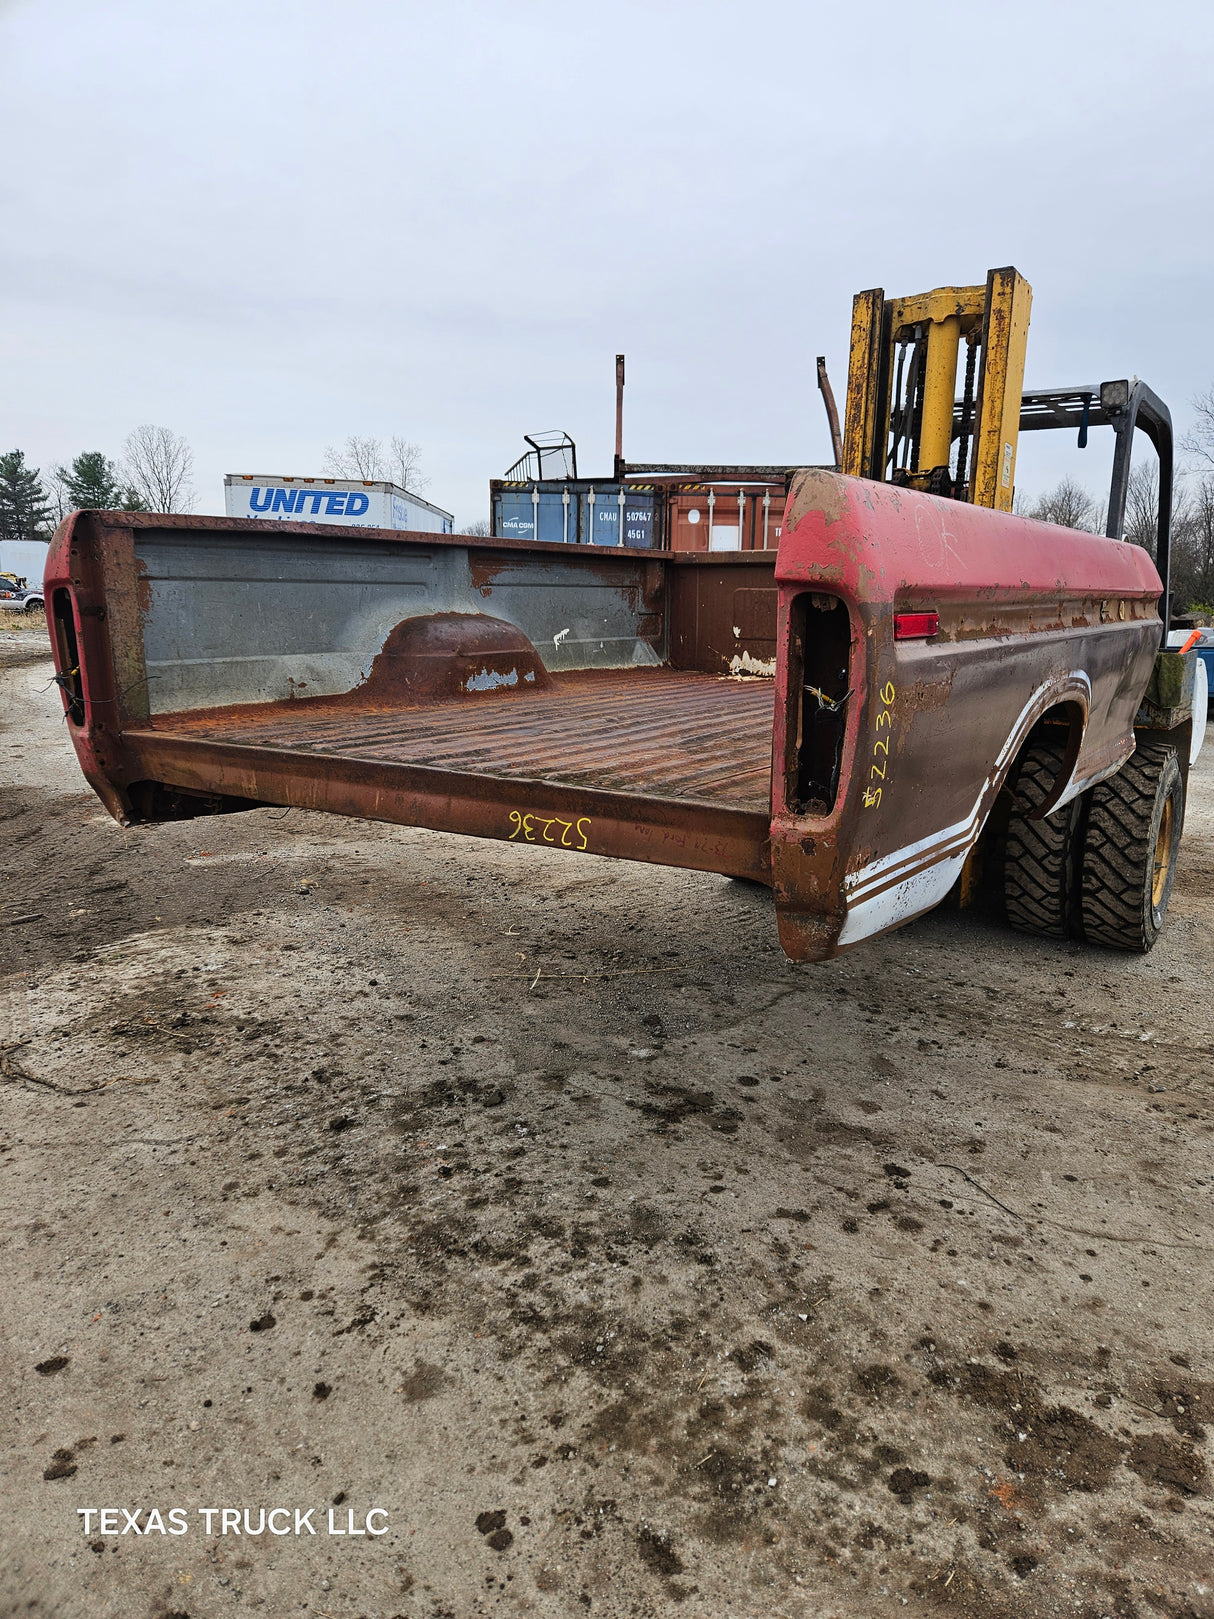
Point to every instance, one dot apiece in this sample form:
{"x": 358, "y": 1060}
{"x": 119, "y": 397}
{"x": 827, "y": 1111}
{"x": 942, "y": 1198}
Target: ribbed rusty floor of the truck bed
{"x": 660, "y": 733}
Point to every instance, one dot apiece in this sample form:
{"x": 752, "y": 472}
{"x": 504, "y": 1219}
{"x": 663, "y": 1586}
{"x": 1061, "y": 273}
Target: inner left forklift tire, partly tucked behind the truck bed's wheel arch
{"x": 1040, "y": 856}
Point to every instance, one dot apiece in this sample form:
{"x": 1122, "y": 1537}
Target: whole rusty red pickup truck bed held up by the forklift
{"x": 907, "y": 650}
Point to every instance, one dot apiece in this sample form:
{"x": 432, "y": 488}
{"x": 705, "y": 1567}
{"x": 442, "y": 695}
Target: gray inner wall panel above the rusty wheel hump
{"x": 234, "y": 619}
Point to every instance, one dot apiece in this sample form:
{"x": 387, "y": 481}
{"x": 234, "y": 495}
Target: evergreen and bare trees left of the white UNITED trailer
{"x": 155, "y": 475}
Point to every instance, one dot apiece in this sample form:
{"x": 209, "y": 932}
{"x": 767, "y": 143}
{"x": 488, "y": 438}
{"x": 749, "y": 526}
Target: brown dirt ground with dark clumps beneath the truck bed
{"x": 674, "y": 1280}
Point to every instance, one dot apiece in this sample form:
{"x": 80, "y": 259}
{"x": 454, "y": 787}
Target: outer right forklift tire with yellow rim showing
{"x": 1131, "y": 851}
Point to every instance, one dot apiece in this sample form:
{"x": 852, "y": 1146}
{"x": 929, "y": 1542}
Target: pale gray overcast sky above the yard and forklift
{"x": 276, "y": 223}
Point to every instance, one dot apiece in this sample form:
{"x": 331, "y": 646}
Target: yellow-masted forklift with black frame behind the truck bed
{"x": 1072, "y": 872}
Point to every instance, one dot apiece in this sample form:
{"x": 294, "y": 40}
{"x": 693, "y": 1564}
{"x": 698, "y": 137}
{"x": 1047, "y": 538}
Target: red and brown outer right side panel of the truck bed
{"x": 1035, "y": 621}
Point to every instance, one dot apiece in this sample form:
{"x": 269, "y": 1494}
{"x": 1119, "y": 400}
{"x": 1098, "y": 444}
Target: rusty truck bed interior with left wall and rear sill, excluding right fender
{"x": 595, "y": 700}
